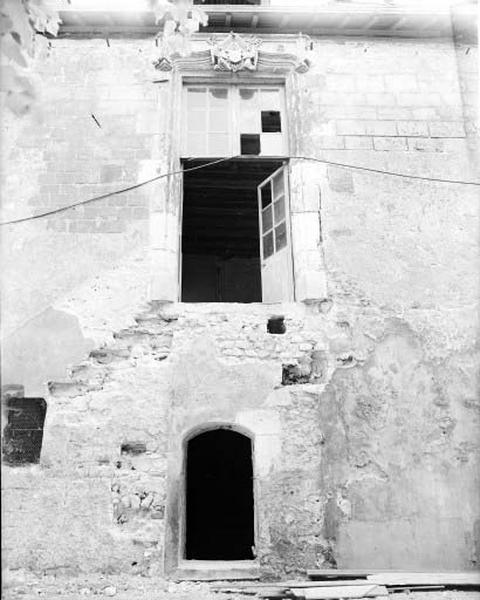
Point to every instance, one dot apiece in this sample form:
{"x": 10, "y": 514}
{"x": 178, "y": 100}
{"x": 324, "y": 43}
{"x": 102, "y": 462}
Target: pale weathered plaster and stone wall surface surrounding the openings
{"x": 372, "y": 460}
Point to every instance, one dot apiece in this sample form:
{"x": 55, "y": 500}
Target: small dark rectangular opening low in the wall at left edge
{"x": 23, "y": 433}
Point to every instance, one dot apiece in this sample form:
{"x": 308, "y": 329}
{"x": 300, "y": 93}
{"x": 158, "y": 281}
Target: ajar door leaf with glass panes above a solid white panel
{"x": 275, "y": 238}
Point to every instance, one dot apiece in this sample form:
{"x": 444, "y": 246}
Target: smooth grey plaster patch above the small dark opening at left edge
{"x": 42, "y": 350}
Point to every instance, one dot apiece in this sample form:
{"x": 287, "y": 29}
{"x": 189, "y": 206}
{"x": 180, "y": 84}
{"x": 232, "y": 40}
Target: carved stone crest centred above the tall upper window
{"x": 234, "y": 53}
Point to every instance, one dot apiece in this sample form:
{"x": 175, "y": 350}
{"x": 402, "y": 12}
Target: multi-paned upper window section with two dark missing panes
{"x": 229, "y": 120}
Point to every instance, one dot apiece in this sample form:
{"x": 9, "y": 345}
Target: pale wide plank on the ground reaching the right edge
{"x": 452, "y": 578}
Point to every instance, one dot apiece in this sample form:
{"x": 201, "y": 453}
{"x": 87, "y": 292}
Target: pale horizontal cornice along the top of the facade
{"x": 334, "y": 19}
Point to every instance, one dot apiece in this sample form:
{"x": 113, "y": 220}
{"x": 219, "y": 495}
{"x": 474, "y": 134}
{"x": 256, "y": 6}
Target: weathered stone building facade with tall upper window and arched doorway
{"x": 341, "y": 367}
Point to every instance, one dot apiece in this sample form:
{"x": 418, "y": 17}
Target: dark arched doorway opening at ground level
{"x": 220, "y": 509}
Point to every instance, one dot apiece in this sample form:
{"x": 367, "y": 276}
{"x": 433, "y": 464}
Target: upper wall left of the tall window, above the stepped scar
{"x": 59, "y": 156}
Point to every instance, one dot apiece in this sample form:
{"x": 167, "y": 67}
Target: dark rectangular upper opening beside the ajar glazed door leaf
{"x": 220, "y": 236}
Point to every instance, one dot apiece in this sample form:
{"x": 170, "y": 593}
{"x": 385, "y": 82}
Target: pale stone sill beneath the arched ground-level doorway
{"x": 216, "y": 570}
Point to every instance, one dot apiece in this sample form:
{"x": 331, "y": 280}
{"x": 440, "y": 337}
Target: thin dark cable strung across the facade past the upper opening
{"x": 221, "y": 160}
